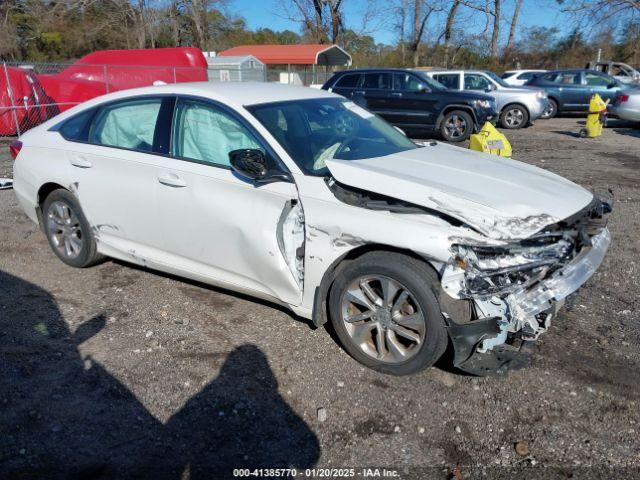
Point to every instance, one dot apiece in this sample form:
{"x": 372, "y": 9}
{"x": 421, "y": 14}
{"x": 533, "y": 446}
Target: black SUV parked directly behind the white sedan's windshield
{"x": 414, "y": 102}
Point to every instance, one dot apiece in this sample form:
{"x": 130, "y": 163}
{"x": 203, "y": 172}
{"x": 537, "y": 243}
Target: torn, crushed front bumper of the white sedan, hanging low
{"x": 480, "y": 346}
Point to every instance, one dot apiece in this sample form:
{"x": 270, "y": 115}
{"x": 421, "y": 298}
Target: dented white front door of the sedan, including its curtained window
{"x": 216, "y": 224}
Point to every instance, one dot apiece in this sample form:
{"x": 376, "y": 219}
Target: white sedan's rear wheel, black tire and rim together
{"x": 67, "y": 230}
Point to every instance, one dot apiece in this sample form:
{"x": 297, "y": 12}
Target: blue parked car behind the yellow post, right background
{"x": 571, "y": 90}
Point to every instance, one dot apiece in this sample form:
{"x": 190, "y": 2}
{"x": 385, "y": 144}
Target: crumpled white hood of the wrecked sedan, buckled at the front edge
{"x": 501, "y": 198}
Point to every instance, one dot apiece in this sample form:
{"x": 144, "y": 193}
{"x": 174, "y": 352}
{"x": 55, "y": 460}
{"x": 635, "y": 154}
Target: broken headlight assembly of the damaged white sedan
{"x": 488, "y": 271}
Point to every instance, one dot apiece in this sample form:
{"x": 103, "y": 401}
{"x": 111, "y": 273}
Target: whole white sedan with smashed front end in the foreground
{"x": 300, "y": 197}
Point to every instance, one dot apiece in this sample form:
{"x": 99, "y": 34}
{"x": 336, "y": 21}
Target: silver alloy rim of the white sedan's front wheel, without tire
{"x": 383, "y": 318}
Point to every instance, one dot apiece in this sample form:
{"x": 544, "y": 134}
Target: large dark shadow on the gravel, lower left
{"x": 64, "y": 416}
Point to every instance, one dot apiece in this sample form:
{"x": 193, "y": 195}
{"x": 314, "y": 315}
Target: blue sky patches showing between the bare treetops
{"x": 271, "y": 14}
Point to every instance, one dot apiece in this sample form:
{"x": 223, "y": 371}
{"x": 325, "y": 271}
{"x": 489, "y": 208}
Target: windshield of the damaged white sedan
{"x": 314, "y": 131}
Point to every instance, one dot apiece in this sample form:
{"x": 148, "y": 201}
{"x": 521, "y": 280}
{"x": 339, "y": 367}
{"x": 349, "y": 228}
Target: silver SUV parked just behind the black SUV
{"x": 517, "y": 107}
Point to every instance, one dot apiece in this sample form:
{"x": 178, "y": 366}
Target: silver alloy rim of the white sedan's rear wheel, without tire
{"x": 63, "y": 228}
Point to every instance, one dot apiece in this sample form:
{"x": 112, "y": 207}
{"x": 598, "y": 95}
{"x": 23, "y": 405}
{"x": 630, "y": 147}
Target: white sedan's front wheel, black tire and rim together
{"x": 384, "y": 309}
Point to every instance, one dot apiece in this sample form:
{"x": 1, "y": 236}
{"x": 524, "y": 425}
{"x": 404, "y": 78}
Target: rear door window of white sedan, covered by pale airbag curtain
{"x": 129, "y": 124}
